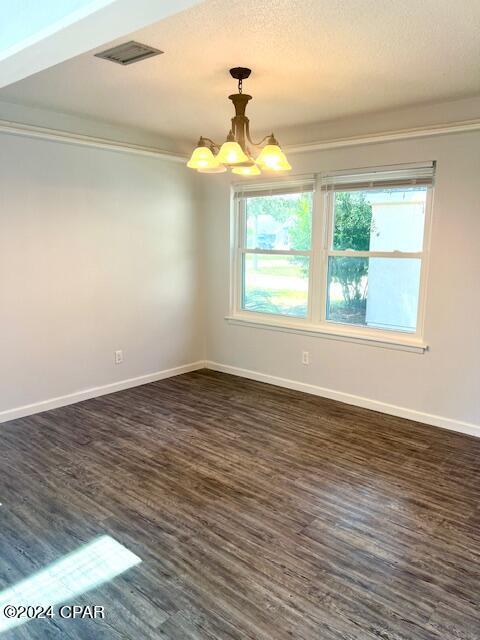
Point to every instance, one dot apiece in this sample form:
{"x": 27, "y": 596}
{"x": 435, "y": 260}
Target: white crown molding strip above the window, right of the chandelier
{"x": 386, "y": 136}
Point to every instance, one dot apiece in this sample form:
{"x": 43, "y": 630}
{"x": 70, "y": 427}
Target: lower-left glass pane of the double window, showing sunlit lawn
{"x": 276, "y": 284}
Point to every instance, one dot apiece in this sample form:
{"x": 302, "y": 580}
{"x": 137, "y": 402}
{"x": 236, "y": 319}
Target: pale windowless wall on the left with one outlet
{"x": 99, "y": 251}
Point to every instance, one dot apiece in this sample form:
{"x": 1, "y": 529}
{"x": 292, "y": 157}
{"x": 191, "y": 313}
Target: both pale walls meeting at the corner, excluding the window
{"x": 102, "y": 251}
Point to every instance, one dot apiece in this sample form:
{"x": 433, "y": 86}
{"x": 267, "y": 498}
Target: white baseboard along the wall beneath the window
{"x": 348, "y": 398}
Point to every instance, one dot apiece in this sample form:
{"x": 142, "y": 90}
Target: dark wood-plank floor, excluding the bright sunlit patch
{"x": 258, "y": 513}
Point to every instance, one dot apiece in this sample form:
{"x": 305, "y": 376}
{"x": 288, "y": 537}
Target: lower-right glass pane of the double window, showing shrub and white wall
{"x": 381, "y": 293}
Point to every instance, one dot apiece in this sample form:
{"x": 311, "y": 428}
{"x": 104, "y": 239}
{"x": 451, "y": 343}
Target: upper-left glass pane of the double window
{"x": 279, "y": 222}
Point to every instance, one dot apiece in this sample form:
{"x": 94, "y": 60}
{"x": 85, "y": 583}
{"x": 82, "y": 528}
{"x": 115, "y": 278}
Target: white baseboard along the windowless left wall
{"x": 95, "y": 392}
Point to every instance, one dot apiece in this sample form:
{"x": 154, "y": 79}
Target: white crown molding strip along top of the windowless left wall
{"x": 55, "y": 135}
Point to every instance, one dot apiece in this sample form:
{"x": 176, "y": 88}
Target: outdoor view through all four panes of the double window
{"x": 378, "y": 290}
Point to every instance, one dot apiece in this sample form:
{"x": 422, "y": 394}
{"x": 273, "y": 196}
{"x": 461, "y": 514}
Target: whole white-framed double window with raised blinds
{"x": 341, "y": 254}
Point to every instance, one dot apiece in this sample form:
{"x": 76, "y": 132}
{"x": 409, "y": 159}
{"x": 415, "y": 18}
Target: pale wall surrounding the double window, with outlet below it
{"x": 444, "y": 383}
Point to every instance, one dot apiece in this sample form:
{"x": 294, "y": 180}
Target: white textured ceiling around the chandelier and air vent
{"x": 312, "y": 60}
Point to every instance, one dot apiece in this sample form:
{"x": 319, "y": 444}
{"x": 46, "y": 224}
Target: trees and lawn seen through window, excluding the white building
{"x": 277, "y": 284}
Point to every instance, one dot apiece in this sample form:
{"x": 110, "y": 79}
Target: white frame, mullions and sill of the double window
{"x": 321, "y": 241}
